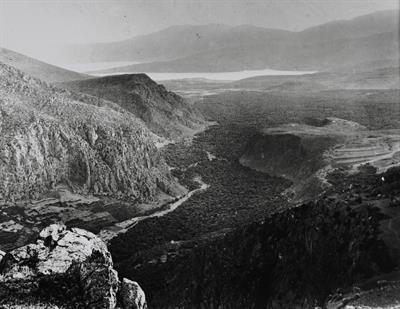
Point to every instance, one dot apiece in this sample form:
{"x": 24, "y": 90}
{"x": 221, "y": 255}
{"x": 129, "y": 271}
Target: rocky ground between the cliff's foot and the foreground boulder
{"x": 20, "y": 222}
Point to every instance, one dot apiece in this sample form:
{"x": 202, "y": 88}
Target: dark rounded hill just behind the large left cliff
{"x": 164, "y": 112}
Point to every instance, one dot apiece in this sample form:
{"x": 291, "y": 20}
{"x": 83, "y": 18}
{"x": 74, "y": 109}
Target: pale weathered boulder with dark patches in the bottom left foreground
{"x": 67, "y": 268}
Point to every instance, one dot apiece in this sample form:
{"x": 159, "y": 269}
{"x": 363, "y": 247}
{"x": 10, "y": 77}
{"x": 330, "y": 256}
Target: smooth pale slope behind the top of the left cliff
{"x": 38, "y": 69}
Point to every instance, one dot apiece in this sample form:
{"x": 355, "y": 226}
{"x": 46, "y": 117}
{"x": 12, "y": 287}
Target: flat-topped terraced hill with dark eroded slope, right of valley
{"x": 306, "y": 154}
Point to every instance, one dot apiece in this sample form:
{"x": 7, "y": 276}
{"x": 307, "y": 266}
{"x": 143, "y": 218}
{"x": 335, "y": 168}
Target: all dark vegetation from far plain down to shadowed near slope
{"x": 239, "y": 244}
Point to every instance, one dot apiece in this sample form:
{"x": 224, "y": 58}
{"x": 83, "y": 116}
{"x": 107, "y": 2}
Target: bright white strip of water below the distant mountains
{"x": 221, "y": 76}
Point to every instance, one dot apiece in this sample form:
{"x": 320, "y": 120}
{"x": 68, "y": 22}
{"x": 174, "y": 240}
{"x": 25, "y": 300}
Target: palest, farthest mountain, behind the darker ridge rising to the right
{"x": 172, "y": 43}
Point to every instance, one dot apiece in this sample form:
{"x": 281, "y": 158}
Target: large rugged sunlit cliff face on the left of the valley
{"x": 50, "y": 136}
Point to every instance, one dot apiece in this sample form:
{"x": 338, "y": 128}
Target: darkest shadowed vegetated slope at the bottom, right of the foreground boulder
{"x": 294, "y": 258}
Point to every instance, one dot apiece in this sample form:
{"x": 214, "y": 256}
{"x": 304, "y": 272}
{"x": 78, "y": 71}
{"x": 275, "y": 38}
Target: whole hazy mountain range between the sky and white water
{"x": 212, "y": 48}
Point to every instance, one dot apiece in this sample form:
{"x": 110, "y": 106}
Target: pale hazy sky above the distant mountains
{"x": 33, "y": 27}
